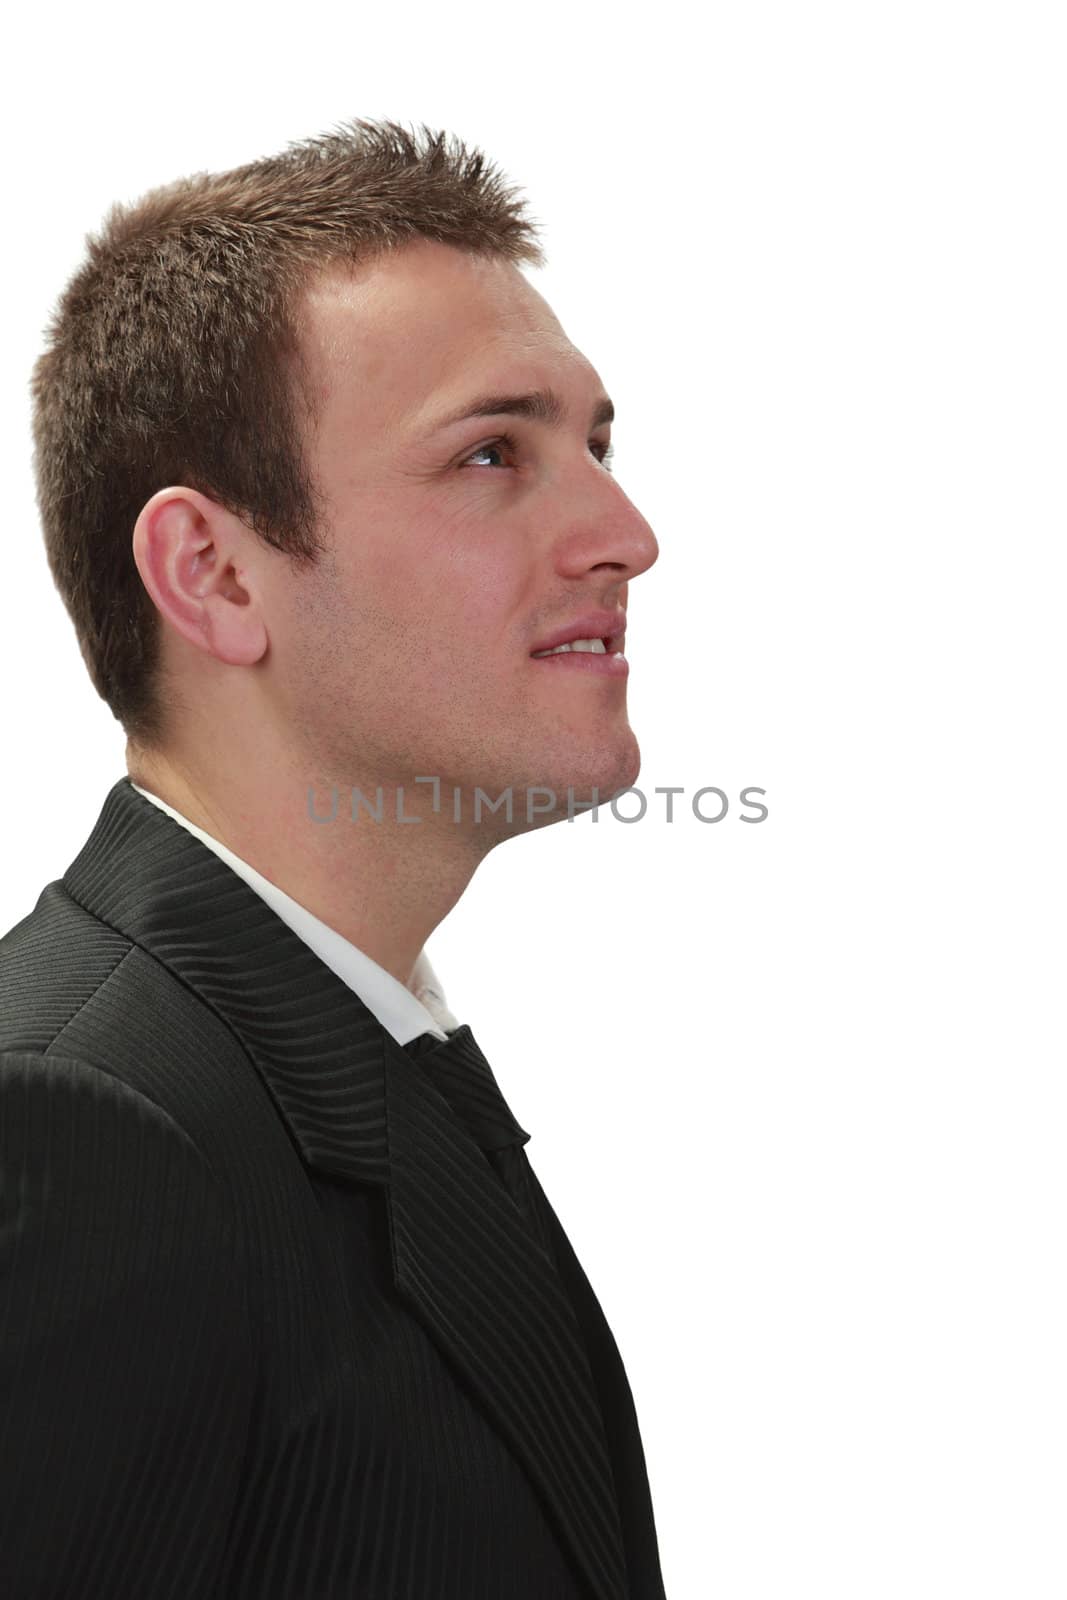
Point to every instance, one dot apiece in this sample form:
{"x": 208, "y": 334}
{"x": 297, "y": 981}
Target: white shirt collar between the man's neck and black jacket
{"x": 404, "y": 1012}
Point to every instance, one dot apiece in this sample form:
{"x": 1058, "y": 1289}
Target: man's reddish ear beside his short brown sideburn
{"x": 193, "y": 558}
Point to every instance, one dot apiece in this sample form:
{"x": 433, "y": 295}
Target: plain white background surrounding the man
{"x": 796, "y": 1089}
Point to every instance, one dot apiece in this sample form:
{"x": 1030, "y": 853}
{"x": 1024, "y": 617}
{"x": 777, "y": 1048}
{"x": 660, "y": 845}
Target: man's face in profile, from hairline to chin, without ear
{"x": 455, "y": 556}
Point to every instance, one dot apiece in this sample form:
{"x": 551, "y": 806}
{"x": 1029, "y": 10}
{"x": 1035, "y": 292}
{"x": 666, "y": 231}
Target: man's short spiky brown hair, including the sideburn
{"x": 172, "y": 358}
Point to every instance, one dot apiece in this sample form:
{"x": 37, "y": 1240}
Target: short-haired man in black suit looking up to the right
{"x": 324, "y": 486}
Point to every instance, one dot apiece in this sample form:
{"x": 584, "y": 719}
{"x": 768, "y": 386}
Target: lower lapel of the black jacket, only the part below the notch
{"x": 482, "y": 1284}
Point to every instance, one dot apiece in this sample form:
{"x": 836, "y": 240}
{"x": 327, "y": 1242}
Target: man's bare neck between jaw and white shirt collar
{"x": 385, "y": 886}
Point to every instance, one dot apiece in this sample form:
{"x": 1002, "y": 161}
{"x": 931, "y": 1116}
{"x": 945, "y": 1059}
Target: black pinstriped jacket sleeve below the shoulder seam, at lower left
{"x": 126, "y": 1364}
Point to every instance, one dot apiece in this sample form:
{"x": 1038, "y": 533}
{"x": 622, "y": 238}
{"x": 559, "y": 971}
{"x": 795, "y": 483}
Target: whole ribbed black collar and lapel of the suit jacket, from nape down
{"x": 359, "y": 1110}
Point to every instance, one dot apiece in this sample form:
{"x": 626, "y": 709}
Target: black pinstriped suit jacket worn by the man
{"x": 271, "y": 1326}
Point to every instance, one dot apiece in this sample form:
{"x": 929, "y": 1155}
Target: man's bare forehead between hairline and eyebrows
{"x": 404, "y": 338}
